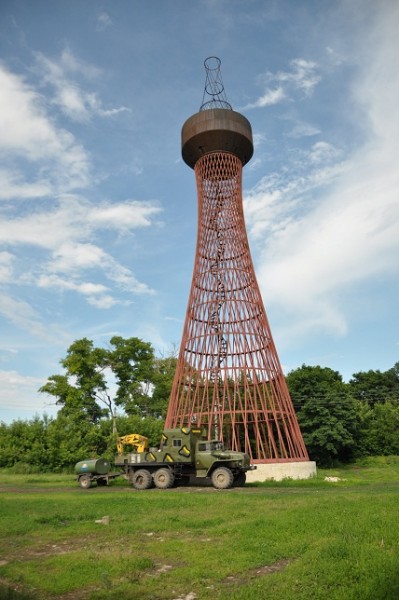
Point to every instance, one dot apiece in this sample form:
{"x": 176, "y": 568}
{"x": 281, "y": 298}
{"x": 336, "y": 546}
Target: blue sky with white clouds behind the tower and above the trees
{"x": 98, "y": 211}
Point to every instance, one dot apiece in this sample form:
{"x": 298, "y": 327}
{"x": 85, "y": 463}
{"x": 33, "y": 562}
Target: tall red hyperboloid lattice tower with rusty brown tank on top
{"x": 228, "y": 377}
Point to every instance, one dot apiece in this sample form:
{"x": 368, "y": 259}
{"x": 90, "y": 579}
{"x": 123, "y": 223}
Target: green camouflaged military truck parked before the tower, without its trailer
{"x": 183, "y": 453}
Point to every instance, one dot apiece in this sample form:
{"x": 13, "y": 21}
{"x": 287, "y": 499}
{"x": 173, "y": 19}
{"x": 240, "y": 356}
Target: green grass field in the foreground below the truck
{"x": 291, "y": 540}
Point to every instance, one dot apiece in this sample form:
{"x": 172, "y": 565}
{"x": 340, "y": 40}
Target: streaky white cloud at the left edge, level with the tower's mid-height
{"x": 65, "y": 232}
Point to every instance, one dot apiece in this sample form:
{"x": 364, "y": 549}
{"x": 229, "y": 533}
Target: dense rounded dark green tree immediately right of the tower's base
{"x": 325, "y": 411}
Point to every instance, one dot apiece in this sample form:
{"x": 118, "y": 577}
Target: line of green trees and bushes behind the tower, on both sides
{"x": 124, "y": 388}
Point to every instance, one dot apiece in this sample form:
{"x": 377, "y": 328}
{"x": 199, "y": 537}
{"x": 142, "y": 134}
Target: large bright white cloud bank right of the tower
{"x": 338, "y": 225}
